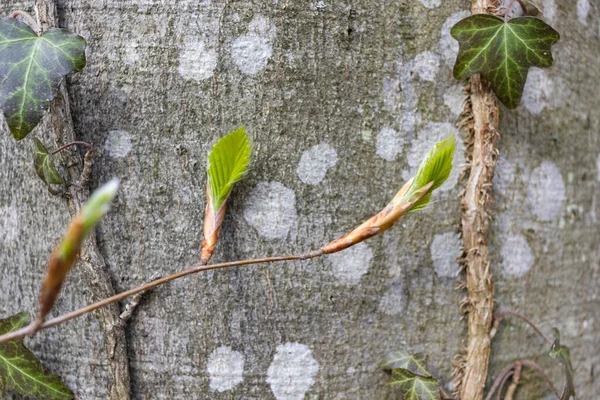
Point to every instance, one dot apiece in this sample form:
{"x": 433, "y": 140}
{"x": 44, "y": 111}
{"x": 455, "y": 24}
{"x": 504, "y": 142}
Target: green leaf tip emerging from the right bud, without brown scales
{"x": 436, "y": 168}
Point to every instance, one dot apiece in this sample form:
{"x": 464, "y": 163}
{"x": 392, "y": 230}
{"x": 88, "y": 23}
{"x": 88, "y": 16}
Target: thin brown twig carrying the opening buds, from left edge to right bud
{"x": 199, "y": 267}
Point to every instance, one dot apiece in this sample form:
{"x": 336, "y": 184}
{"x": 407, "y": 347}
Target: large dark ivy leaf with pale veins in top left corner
{"x": 31, "y": 68}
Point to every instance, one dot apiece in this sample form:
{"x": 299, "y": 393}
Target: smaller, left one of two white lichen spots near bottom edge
{"x": 225, "y": 369}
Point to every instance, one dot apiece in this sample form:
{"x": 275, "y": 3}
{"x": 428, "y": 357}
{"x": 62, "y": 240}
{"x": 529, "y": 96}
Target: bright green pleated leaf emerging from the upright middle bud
{"x": 227, "y": 163}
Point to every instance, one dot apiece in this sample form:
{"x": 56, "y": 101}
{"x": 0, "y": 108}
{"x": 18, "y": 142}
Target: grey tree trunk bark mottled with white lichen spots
{"x": 366, "y": 82}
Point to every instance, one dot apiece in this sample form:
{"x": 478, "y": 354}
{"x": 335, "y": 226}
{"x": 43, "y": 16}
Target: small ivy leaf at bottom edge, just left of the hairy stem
{"x": 411, "y": 376}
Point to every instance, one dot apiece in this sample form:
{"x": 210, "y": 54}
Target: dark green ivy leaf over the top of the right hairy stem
{"x": 503, "y": 52}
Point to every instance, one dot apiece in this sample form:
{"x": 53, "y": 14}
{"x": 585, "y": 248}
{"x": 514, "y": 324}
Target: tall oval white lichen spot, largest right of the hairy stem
{"x": 546, "y": 191}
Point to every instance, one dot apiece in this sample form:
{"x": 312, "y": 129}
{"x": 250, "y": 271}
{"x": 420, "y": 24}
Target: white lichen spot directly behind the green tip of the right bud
{"x": 424, "y": 142}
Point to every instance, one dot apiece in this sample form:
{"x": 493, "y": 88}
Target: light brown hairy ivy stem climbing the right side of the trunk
{"x": 481, "y": 123}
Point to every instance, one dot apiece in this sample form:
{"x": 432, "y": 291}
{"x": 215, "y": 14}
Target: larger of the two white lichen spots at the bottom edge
{"x": 292, "y": 372}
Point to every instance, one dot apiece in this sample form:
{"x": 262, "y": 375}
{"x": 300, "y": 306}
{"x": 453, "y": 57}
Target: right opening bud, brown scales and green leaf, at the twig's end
{"x": 414, "y": 195}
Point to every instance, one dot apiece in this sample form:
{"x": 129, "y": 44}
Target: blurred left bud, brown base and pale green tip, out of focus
{"x": 64, "y": 255}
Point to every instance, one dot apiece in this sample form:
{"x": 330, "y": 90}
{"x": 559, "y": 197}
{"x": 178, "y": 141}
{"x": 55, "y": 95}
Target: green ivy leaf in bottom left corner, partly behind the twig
{"x": 20, "y": 370}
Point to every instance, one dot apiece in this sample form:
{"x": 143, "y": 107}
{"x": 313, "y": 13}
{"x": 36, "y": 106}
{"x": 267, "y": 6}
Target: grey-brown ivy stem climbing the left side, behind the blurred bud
{"x": 60, "y": 123}
